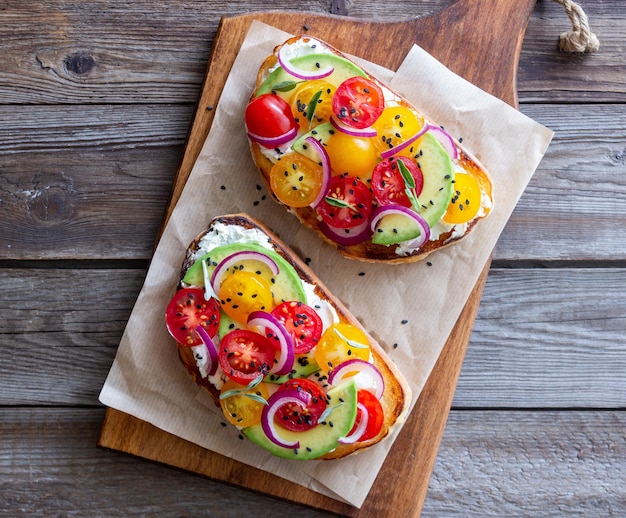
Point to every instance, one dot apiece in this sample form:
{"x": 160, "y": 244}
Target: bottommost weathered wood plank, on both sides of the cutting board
{"x": 490, "y": 463}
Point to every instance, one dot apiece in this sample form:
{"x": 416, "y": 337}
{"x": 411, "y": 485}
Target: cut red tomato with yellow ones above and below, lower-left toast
{"x": 243, "y": 355}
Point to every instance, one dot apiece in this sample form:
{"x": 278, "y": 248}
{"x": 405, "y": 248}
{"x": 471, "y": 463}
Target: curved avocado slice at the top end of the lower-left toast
{"x": 285, "y": 286}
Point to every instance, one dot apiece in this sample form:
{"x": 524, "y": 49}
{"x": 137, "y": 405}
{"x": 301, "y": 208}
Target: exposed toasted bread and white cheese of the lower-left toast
{"x": 396, "y": 397}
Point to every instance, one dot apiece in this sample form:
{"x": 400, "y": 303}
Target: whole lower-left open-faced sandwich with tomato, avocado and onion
{"x": 285, "y": 360}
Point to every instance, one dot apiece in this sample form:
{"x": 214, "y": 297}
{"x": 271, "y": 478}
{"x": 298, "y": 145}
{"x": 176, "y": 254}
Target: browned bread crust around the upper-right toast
{"x": 368, "y": 251}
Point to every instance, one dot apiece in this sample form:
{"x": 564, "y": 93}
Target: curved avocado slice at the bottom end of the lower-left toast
{"x": 322, "y": 438}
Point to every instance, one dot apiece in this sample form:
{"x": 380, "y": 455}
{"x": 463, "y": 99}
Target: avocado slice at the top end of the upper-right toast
{"x": 280, "y": 80}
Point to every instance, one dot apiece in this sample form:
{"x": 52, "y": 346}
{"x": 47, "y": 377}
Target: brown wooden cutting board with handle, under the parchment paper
{"x": 479, "y": 40}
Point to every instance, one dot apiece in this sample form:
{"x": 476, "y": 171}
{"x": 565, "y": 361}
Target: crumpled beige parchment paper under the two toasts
{"x": 410, "y": 309}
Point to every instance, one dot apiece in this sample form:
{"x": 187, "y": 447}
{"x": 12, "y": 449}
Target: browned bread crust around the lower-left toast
{"x": 397, "y": 395}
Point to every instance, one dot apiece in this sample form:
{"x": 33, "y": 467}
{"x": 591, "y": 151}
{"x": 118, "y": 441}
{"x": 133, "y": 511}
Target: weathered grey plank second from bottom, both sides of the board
{"x": 543, "y": 337}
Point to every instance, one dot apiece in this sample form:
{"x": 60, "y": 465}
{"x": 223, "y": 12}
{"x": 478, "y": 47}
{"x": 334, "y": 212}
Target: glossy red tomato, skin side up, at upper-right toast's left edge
{"x": 269, "y": 116}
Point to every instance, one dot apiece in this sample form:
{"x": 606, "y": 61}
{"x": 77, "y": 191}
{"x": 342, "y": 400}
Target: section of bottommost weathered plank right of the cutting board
{"x": 530, "y": 464}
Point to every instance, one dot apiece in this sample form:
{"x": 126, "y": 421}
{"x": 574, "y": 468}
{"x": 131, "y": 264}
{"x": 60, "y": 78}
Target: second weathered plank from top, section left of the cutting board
{"x": 86, "y": 183}
